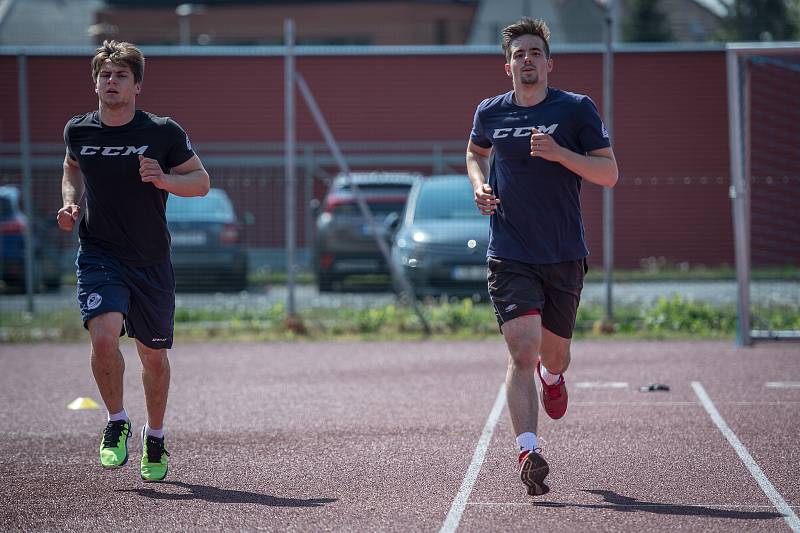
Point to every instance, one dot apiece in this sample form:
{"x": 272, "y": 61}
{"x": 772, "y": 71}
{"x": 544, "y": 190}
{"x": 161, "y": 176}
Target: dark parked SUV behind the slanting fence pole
{"x": 344, "y": 244}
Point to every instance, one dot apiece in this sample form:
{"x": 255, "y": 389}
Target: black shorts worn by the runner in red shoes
{"x": 552, "y": 290}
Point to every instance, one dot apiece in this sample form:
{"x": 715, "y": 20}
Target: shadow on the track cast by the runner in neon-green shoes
{"x": 218, "y": 495}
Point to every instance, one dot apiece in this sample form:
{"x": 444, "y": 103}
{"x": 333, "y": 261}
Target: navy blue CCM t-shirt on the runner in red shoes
{"x": 538, "y": 220}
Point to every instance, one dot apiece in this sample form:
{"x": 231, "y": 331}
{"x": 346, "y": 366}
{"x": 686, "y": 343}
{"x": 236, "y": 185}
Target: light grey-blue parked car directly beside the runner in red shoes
{"x": 441, "y": 240}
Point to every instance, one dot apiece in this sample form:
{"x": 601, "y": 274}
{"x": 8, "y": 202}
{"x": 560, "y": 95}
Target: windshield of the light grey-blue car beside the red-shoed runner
{"x": 445, "y": 199}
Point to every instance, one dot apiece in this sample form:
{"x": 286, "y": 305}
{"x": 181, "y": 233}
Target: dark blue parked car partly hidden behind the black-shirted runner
{"x": 207, "y": 245}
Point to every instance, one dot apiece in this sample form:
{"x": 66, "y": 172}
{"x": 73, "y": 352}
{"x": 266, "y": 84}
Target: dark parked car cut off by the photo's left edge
{"x": 13, "y": 223}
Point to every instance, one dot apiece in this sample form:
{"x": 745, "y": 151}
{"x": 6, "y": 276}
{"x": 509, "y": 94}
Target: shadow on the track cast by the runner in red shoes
{"x": 618, "y": 502}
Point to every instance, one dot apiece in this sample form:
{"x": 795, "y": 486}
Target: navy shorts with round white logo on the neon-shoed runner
{"x": 144, "y": 295}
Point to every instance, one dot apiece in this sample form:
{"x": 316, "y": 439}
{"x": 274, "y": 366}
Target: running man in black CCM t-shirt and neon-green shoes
{"x": 126, "y": 162}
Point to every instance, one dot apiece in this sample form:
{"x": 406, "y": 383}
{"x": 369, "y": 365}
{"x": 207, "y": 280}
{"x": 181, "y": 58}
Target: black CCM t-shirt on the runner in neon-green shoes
{"x": 125, "y": 217}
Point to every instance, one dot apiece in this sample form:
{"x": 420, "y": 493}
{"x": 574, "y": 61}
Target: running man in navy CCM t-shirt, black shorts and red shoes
{"x": 528, "y": 153}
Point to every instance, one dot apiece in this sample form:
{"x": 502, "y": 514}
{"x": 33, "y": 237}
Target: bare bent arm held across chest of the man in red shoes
{"x": 598, "y": 166}
